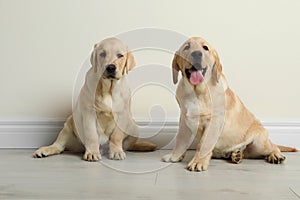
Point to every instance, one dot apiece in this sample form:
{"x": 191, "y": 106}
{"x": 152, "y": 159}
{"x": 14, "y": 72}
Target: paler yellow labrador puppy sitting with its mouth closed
{"x": 102, "y": 112}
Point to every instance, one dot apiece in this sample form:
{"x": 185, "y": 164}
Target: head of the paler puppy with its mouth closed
{"x": 112, "y": 58}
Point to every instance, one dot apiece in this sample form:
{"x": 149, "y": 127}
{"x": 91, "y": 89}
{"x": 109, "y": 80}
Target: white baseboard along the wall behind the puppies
{"x": 36, "y": 133}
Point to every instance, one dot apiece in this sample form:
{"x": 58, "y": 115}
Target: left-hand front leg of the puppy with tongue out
{"x": 183, "y": 140}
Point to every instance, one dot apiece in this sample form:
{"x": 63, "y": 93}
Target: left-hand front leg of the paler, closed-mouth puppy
{"x": 90, "y": 138}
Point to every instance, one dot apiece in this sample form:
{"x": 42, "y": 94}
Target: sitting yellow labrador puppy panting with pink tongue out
{"x": 224, "y": 127}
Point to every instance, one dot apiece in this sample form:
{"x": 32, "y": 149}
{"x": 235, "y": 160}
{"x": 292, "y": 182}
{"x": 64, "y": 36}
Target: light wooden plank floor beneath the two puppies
{"x": 66, "y": 176}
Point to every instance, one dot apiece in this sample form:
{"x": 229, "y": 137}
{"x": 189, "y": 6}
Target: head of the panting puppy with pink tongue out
{"x": 197, "y": 61}
